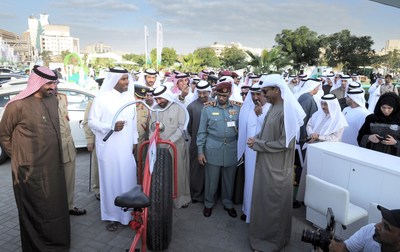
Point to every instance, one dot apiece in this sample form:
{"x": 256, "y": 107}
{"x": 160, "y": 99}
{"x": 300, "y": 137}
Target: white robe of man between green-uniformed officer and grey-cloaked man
{"x": 253, "y": 126}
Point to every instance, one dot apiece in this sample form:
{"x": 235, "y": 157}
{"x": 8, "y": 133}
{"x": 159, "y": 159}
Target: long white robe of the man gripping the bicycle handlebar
{"x": 117, "y": 166}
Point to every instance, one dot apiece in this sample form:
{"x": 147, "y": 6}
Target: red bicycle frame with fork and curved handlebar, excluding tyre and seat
{"x": 140, "y": 216}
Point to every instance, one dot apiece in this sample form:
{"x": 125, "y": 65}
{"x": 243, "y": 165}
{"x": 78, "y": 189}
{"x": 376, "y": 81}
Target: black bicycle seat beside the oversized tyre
{"x": 134, "y": 198}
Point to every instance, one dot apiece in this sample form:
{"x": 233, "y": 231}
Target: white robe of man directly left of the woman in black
{"x": 355, "y": 117}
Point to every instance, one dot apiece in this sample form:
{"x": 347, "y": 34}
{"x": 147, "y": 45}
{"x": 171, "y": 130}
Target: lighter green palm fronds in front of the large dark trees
{"x": 267, "y": 62}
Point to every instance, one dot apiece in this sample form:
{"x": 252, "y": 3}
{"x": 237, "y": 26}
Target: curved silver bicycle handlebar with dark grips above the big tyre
{"x": 152, "y": 110}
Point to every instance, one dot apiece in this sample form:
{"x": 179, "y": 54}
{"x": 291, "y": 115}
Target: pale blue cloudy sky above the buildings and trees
{"x": 191, "y": 24}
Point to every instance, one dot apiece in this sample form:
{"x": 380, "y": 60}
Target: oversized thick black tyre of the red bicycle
{"x": 159, "y": 225}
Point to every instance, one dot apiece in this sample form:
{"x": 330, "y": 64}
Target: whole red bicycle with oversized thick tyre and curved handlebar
{"x": 150, "y": 202}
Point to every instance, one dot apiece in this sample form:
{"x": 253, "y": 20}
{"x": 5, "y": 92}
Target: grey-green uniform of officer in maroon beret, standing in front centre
{"x": 217, "y": 140}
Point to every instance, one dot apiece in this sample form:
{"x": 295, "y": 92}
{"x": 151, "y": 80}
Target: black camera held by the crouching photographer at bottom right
{"x": 321, "y": 238}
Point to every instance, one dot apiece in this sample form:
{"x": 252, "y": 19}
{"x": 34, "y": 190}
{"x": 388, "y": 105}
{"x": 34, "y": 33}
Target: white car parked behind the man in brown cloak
{"x": 77, "y": 96}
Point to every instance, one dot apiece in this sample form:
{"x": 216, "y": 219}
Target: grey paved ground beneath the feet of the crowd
{"x": 191, "y": 230}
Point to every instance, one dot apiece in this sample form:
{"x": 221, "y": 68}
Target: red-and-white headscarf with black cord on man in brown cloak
{"x": 39, "y": 76}
